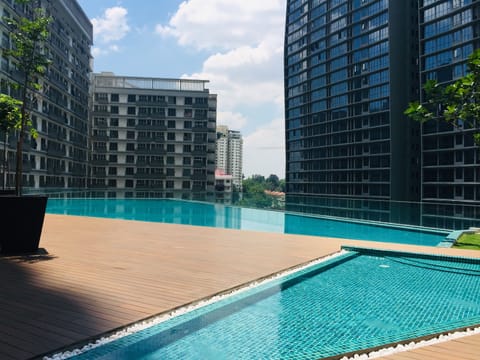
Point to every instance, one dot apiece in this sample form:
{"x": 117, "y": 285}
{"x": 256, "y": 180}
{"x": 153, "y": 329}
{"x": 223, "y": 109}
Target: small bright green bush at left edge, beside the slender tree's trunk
{"x": 10, "y": 119}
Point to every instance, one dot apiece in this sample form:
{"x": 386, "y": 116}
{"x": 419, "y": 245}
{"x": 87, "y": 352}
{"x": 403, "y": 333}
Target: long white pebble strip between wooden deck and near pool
{"x": 183, "y": 310}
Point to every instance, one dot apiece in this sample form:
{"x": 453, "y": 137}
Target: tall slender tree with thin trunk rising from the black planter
{"x": 28, "y": 36}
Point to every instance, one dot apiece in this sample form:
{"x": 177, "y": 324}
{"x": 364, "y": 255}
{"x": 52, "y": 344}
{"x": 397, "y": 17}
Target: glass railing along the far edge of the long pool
{"x": 434, "y": 215}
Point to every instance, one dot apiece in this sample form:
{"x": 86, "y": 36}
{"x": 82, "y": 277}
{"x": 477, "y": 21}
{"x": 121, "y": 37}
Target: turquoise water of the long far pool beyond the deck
{"x": 216, "y": 215}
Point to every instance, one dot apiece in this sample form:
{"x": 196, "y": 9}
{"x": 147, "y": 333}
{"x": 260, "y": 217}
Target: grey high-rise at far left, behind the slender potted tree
{"x": 58, "y": 157}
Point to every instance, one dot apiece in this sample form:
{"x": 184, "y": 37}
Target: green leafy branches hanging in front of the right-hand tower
{"x": 458, "y": 103}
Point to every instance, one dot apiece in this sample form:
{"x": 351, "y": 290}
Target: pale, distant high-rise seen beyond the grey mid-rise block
{"x": 229, "y": 157}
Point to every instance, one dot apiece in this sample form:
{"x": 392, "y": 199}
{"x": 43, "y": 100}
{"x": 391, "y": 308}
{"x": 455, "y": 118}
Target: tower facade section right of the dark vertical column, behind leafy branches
{"x": 450, "y": 31}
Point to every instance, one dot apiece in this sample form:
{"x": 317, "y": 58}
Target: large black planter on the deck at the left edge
{"x": 21, "y": 219}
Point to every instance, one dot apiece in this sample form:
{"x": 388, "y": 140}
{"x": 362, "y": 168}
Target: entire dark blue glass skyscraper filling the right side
{"x": 351, "y": 67}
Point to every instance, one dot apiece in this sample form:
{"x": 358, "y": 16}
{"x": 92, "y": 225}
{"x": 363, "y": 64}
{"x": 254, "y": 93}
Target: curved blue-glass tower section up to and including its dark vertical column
{"x": 350, "y": 71}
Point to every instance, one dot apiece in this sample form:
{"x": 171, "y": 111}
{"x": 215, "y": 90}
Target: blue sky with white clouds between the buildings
{"x": 235, "y": 44}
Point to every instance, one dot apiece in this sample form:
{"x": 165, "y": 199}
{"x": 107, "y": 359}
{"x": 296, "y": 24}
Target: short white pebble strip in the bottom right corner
{"x": 413, "y": 345}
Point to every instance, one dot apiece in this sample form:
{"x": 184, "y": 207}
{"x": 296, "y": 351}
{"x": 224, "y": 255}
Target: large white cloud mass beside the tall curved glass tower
{"x": 245, "y": 69}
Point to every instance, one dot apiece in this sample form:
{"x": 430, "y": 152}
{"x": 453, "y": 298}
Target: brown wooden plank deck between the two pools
{"x": 100, "y": 274}
